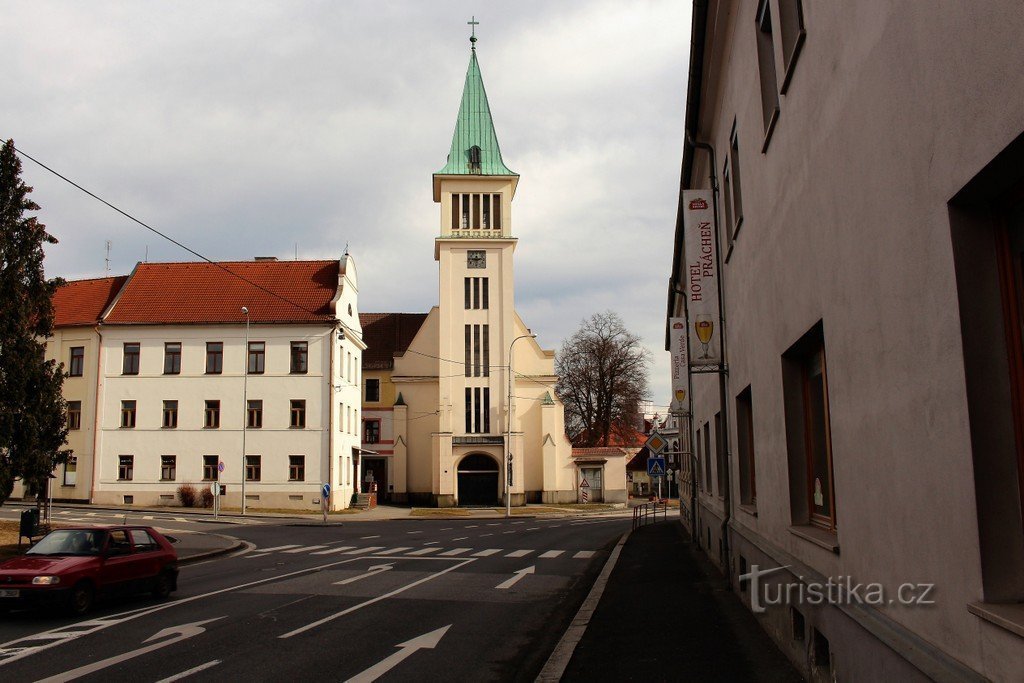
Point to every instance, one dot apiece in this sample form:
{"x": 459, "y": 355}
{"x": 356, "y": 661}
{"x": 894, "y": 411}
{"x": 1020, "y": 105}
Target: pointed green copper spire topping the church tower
{"x": 475, "y": 146}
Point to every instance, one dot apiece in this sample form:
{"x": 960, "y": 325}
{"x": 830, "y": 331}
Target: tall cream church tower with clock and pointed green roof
{"x": 477, "y": 309}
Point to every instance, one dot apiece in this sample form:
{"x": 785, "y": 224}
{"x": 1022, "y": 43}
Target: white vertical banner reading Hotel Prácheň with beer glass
{"x": 702, "y": 279}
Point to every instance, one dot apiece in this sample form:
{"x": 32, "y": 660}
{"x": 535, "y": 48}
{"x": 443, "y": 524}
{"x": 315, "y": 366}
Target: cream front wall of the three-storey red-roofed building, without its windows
{"x": 275, "y": 442}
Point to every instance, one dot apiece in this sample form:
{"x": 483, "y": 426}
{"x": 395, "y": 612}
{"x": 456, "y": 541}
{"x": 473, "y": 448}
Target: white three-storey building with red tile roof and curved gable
{"x": 241, "y": 374}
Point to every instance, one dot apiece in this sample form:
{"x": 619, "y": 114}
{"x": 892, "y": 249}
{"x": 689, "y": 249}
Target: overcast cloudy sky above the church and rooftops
{"x": 273, "y": 129}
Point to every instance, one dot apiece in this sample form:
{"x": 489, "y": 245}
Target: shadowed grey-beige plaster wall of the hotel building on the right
{"x": 890, "y": 112}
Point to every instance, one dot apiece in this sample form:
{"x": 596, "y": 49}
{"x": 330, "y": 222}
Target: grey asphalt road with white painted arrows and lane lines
{"x": 463, "y": 600}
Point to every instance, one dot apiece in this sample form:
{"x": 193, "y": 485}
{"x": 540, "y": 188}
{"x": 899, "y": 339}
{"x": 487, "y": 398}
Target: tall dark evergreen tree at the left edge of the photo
{"x": 33, "y": 426}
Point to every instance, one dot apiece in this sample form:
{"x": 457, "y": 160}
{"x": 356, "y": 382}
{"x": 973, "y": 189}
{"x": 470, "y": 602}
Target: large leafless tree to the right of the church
{"x": 603, "y": 378}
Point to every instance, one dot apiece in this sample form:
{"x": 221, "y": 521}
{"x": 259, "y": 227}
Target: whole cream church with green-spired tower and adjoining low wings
{"x": 459, "y": 405}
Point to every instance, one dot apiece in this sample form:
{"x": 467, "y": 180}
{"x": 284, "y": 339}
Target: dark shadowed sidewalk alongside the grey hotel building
{"x": 666, "y": 616}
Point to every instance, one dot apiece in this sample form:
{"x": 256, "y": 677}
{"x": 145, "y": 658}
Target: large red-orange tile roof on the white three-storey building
{"x": 201, "y": 292}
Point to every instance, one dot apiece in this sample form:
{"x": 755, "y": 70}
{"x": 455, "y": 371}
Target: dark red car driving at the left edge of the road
{"x": 73, "y": 567}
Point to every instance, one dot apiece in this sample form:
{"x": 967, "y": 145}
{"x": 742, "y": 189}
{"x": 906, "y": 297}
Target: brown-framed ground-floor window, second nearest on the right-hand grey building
{"x": 808, "y": 434}
